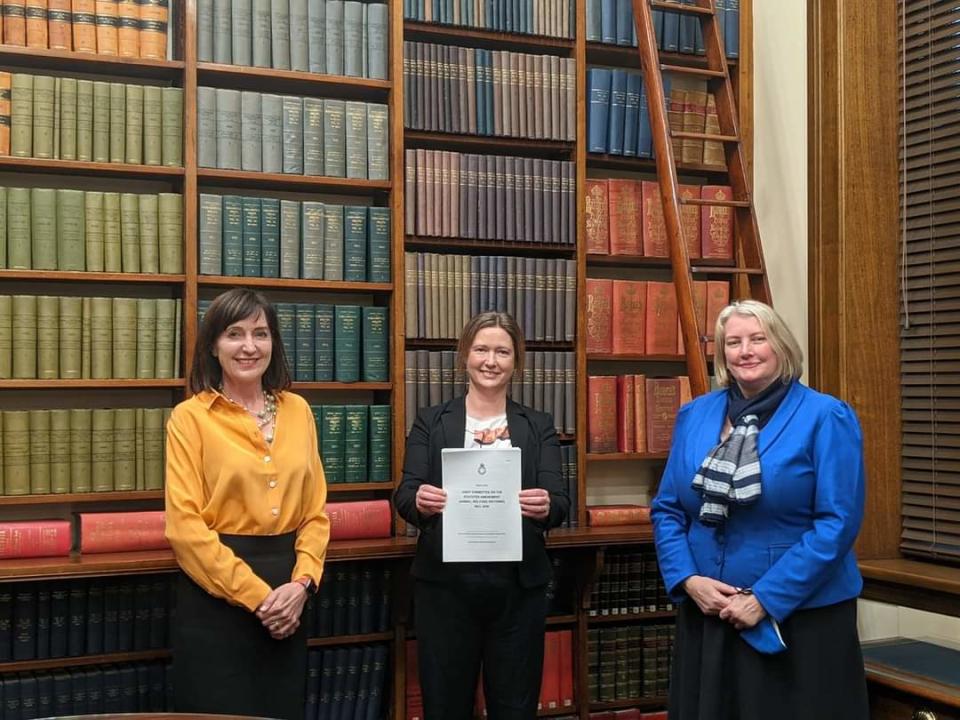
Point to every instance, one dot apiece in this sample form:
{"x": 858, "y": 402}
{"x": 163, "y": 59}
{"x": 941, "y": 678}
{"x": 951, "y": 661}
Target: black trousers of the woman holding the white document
{"x": 484, "y": 619}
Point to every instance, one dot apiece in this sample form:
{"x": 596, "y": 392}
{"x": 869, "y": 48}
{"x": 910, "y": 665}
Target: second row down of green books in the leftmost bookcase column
{"x": 93, "y": 231}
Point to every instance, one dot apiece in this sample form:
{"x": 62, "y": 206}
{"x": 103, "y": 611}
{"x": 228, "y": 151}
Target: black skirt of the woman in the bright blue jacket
{"x": 717, "y": 676}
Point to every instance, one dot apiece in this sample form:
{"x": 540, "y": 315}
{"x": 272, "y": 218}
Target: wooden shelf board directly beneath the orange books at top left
{"x": 39, "y": 59}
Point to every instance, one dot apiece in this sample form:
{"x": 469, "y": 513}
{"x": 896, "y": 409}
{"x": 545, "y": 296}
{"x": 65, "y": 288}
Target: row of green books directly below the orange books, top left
{"x": 68, "y": 118}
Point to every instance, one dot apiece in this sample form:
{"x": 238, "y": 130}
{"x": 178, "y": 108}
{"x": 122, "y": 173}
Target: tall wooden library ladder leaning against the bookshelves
{"x": 749, "y": 275}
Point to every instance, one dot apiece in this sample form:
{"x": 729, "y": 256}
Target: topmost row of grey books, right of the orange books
{"x": 319, "y": 36}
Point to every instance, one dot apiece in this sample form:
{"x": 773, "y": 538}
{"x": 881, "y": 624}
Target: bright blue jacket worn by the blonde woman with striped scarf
{"x": 793, "y": 546}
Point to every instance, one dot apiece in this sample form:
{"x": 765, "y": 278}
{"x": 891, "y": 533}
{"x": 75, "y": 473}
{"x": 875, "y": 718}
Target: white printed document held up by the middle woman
{"x": 481, "y": 520}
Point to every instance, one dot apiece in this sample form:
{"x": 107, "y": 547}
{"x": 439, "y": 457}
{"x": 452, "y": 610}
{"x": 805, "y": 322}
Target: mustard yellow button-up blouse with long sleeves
{"x": 222, "y": 477}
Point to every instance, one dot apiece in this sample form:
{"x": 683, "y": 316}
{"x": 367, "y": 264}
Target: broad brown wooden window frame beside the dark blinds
{"x": 853, "y": 225}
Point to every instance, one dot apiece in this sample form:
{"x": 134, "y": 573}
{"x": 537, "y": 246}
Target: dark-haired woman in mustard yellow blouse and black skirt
{"x": 245, "y": 496}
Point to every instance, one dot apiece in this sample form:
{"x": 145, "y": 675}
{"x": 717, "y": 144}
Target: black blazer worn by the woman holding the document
{"x": 443, "y": 426}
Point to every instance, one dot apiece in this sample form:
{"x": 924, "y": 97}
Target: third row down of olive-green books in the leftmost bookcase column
{"x": 100, "y": 338}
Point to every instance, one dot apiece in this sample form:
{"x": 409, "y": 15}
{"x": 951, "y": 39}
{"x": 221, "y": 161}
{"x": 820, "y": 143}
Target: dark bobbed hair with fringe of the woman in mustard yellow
{"x": 226, "y": 309}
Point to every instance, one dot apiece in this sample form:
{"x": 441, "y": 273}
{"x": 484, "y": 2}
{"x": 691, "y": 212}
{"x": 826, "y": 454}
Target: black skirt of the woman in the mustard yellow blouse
{"x": 224, "y": 660}
